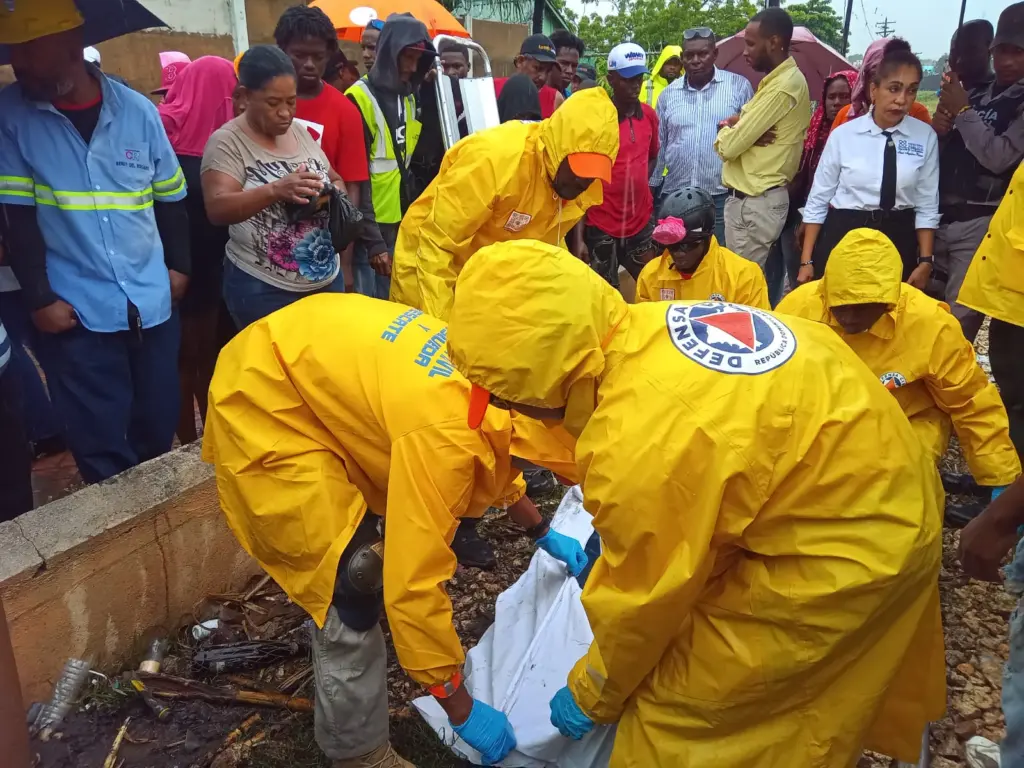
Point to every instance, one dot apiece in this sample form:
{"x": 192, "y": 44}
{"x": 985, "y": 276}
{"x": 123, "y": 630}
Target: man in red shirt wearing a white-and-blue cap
{"x": 618, "y": 233}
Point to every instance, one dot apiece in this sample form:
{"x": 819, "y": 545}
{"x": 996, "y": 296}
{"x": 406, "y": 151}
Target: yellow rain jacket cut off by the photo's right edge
{"x": 995, "y": 283}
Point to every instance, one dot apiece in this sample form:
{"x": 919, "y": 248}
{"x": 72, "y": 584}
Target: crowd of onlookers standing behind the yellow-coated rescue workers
{"x": 116, "y": 305}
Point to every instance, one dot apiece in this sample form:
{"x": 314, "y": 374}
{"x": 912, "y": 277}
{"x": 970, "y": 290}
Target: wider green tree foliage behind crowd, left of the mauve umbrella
{"x": 655, "y": 24}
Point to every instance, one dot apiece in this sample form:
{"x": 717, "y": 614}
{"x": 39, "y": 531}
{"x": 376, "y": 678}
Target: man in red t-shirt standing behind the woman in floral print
{"x": 309, "y": 37}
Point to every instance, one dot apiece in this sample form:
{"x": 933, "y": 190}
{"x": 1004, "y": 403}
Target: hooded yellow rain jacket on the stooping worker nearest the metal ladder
{"x": 496, "y": 186}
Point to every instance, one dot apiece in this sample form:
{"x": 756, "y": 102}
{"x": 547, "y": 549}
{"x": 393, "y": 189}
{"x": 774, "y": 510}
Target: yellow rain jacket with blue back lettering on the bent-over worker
{"x": 338, "y": 403}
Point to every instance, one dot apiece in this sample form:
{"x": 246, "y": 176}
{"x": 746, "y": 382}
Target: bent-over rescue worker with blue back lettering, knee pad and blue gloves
{"x": 327, "y": 417}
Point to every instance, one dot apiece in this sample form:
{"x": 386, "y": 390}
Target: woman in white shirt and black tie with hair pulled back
{"x": 879, "y": 172}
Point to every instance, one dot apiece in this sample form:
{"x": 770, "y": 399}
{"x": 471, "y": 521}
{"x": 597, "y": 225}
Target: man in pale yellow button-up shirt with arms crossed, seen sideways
{"x": 761, "y": 147}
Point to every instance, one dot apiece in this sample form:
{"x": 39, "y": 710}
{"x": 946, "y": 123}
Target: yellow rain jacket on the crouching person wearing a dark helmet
{"x": 722, "y": 276}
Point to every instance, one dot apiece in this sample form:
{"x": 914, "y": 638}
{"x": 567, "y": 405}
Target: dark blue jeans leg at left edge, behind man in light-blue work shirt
{"x": 40, "y": 421}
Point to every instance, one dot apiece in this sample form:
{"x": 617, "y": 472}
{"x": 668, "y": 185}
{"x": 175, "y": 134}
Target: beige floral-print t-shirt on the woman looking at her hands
{"x": 294, "y": 258}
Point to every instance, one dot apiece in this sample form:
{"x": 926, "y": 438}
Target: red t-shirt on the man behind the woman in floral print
{"x": 335, "y": 124}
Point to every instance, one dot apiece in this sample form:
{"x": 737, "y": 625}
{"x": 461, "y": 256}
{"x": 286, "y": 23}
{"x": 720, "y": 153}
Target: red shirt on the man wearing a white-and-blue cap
{"x": 628, "y": 204}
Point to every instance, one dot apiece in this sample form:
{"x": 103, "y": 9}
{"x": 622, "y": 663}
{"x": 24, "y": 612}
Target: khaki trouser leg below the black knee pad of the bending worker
{"x": 351, "y": 673}
